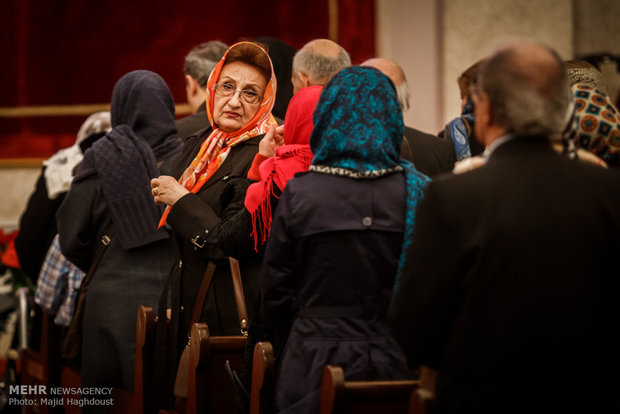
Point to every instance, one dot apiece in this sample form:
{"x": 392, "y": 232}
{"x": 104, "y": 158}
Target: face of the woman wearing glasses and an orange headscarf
{"x": 231, "y": 113}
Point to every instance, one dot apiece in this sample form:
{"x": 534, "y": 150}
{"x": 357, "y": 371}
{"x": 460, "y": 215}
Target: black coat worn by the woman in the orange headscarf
{"x": 191, "y": 217}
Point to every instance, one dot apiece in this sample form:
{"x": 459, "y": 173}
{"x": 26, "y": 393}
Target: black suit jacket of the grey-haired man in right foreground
{"x": 511, "y": 285}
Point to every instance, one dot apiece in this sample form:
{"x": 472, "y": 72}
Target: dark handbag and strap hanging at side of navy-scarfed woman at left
{"x": 72, "y": 346}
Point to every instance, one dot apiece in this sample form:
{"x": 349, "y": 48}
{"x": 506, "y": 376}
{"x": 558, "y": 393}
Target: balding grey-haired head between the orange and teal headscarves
{"x": 317, "y": 62}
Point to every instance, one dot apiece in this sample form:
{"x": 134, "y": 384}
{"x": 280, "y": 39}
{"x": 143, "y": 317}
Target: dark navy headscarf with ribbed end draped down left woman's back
{"x": 125, "y": 159}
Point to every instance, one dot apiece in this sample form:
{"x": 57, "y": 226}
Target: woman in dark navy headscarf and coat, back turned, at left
{"x": 112, "y": 191}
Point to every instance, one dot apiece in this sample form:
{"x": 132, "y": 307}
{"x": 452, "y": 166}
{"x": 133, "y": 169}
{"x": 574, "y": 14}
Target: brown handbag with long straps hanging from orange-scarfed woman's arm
{"x": 180, "y": 383}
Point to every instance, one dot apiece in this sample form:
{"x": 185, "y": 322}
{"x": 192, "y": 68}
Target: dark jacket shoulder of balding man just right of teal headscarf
{"x": 431, "y": 155}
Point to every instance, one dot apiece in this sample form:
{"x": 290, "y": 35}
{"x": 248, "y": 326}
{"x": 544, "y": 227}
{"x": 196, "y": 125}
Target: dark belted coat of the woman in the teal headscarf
{"x": 327, "y": 277}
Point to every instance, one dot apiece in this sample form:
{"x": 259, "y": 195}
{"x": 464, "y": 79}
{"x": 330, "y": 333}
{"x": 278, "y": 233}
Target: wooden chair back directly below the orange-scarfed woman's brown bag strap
{"x": 209, "y": 389}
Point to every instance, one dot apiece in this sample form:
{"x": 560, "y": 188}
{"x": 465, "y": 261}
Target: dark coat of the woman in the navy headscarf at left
{"x": 124, "y": 280}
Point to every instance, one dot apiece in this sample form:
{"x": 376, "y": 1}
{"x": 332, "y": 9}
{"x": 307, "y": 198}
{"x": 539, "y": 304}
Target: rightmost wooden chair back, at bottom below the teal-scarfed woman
{"x": 340, "y": 396}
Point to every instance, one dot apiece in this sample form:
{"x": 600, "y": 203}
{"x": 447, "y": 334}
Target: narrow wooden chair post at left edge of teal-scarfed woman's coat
{"x": 261, "y": 394}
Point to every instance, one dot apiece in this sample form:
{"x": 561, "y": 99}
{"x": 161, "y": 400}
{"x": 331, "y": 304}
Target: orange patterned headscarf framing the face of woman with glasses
{"x": 216, "y": 147}
